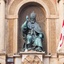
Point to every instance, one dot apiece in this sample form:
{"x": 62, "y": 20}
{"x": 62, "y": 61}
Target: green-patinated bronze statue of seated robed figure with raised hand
{"x": 32, "y": 34}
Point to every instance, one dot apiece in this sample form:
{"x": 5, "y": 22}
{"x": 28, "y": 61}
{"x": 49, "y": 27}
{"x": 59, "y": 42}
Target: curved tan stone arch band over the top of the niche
{"x": 48, "y": 5}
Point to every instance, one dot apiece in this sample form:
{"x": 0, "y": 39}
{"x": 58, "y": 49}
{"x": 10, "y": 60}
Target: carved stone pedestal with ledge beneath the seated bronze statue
{"x": 32, "y": 57}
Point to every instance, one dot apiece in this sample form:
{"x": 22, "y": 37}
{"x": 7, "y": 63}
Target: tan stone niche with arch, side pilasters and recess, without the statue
{"x": 46, "y": 16}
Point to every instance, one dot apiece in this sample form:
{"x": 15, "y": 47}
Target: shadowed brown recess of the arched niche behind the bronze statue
{"x": 26, "y": 9}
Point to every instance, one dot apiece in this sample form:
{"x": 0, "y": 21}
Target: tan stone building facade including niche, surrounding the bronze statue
{"x": 50, "y": 16}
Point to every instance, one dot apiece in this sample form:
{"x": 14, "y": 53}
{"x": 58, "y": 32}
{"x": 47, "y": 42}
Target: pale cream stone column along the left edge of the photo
{"x": 2, "y": 22}
